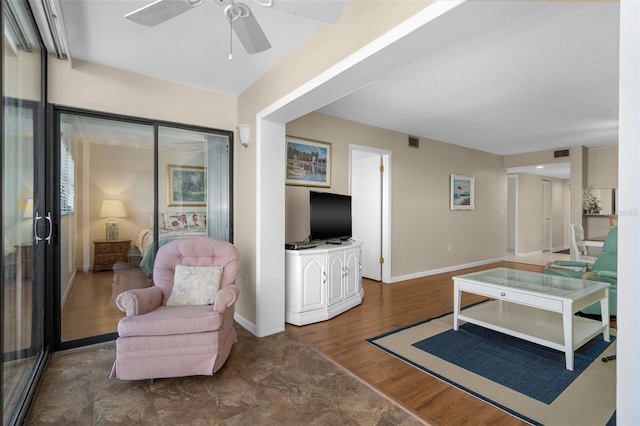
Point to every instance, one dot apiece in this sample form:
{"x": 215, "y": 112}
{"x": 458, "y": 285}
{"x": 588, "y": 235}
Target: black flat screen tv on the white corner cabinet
{"x": 330, "y": 216}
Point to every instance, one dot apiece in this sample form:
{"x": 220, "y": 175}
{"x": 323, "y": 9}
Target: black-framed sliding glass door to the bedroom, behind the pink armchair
{"x": 128, "y": 186}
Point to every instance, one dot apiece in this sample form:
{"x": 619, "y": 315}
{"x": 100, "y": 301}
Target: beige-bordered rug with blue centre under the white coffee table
{"x": 522, "y": 378}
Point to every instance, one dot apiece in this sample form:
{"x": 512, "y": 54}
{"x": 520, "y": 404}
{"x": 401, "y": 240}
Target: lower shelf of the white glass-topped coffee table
{"x": 531, "y": 324}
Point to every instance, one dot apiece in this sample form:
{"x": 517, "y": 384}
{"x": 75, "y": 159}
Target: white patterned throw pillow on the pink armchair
{"x": 195, "y": 285}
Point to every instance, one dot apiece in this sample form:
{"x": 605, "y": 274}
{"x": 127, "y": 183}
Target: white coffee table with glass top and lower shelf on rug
{"x": 536, "y": 307}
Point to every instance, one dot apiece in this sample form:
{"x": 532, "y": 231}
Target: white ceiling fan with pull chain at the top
{"x": 240, "y": 17}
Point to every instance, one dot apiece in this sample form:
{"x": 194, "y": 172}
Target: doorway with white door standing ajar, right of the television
{"x": 370, "y": 171}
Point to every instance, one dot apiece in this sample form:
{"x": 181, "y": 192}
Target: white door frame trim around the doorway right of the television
{"x": 386, "y": 156}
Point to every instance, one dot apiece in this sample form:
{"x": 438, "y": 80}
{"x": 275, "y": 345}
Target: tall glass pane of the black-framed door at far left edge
{"x": 22, "y": 295}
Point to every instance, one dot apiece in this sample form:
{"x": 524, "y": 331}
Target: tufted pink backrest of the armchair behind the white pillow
{"x": 198, "y": 251}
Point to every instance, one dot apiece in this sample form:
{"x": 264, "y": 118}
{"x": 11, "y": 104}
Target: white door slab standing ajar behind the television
{"x": 366, "y": 210}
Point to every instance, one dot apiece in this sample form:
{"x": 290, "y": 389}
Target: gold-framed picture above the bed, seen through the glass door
{"x": 186, "y": 186}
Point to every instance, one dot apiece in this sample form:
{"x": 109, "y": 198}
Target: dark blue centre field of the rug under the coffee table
{"x": 510, "y": 361}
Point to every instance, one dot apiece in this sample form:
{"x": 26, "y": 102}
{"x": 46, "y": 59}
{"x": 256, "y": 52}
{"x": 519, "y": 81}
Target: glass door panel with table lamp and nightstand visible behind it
{"x": 106, "y": 174}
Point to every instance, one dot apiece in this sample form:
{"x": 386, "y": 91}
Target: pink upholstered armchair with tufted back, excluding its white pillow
{"x": 159, "y": 341}
